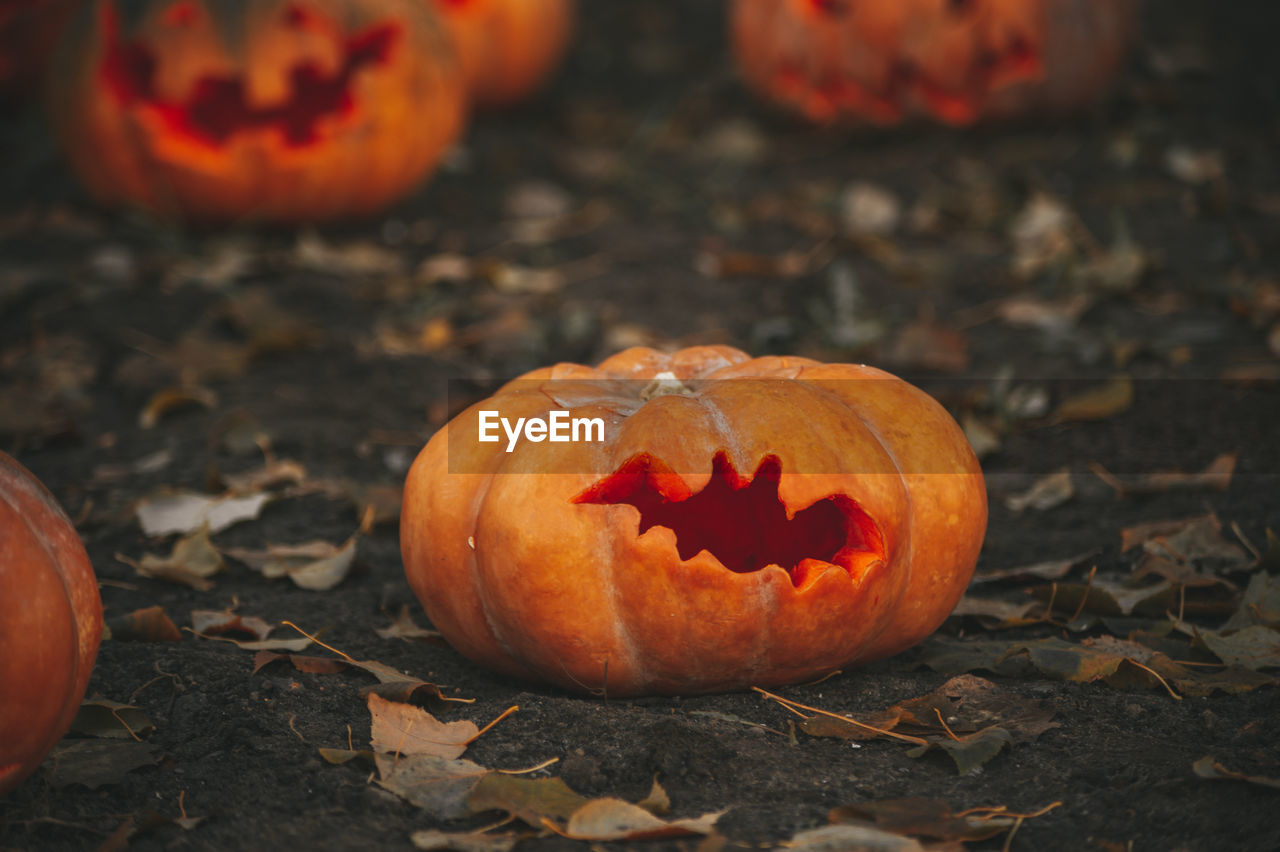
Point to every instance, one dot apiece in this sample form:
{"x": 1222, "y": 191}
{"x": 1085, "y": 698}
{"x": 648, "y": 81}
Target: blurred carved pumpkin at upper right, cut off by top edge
{"x": 952, "y": 61}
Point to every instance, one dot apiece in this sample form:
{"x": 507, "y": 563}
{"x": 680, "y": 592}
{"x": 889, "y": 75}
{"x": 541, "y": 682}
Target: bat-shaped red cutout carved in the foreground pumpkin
{"x": 740, "y": 520}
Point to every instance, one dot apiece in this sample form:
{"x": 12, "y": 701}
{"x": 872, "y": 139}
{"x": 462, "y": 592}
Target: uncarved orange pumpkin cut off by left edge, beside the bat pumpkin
{"x": 51, "y": 622}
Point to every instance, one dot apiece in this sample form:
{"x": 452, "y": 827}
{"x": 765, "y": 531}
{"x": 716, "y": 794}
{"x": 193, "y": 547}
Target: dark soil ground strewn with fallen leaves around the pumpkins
{"x": 656, "y": 170}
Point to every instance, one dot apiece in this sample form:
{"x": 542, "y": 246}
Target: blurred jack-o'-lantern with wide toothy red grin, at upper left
{"x": 284, "y": 111}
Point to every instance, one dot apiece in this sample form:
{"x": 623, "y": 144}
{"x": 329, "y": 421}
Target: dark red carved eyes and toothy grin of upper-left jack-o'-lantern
{"x": 217, "y": 108}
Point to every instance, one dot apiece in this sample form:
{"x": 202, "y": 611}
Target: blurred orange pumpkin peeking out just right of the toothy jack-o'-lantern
{"x": 508, "y": 48}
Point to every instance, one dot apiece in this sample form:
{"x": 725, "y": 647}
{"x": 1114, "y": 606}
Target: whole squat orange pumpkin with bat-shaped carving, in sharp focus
{"x": 847, "y": 505}
